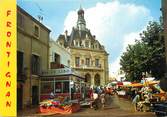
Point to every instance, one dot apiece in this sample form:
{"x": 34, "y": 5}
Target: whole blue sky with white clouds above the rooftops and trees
{"x": 116, "y": 23}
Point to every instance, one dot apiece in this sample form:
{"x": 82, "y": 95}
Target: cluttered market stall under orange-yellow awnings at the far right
{"x": 150, "y": 93}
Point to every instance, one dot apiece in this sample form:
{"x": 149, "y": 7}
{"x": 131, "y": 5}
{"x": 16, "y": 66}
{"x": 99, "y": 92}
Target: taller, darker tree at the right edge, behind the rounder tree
{"x": 156, "y": 45}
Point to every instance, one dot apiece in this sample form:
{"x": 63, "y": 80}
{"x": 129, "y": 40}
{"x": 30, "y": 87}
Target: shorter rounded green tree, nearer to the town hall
{"x": 133, "y": 61}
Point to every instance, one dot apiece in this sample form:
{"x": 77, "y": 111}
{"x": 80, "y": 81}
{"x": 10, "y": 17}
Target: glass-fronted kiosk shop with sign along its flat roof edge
{"x": 61, "y": 82}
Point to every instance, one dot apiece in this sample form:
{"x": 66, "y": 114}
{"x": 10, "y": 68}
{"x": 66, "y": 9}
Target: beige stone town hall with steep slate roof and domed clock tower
{"x": 88, "y": 56}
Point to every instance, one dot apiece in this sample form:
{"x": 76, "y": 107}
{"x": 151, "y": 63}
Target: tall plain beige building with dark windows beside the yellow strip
{"x": 32, "y": 57}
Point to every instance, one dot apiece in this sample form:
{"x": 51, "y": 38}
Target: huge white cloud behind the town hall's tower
{"x": 115, "y": 25}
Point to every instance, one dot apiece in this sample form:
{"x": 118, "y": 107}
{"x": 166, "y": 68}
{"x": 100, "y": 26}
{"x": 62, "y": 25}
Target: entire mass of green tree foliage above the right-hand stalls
{"x": 146, "y": 55}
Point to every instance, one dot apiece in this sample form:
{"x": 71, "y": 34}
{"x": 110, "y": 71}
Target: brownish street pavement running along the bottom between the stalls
{"x": 118, "y": 108}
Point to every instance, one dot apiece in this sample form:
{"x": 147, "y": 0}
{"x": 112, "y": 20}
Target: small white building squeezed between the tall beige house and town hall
{"x": 58, "y": 55}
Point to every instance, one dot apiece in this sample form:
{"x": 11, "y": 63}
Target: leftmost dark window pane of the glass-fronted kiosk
{"x": 47, "y": 87}
